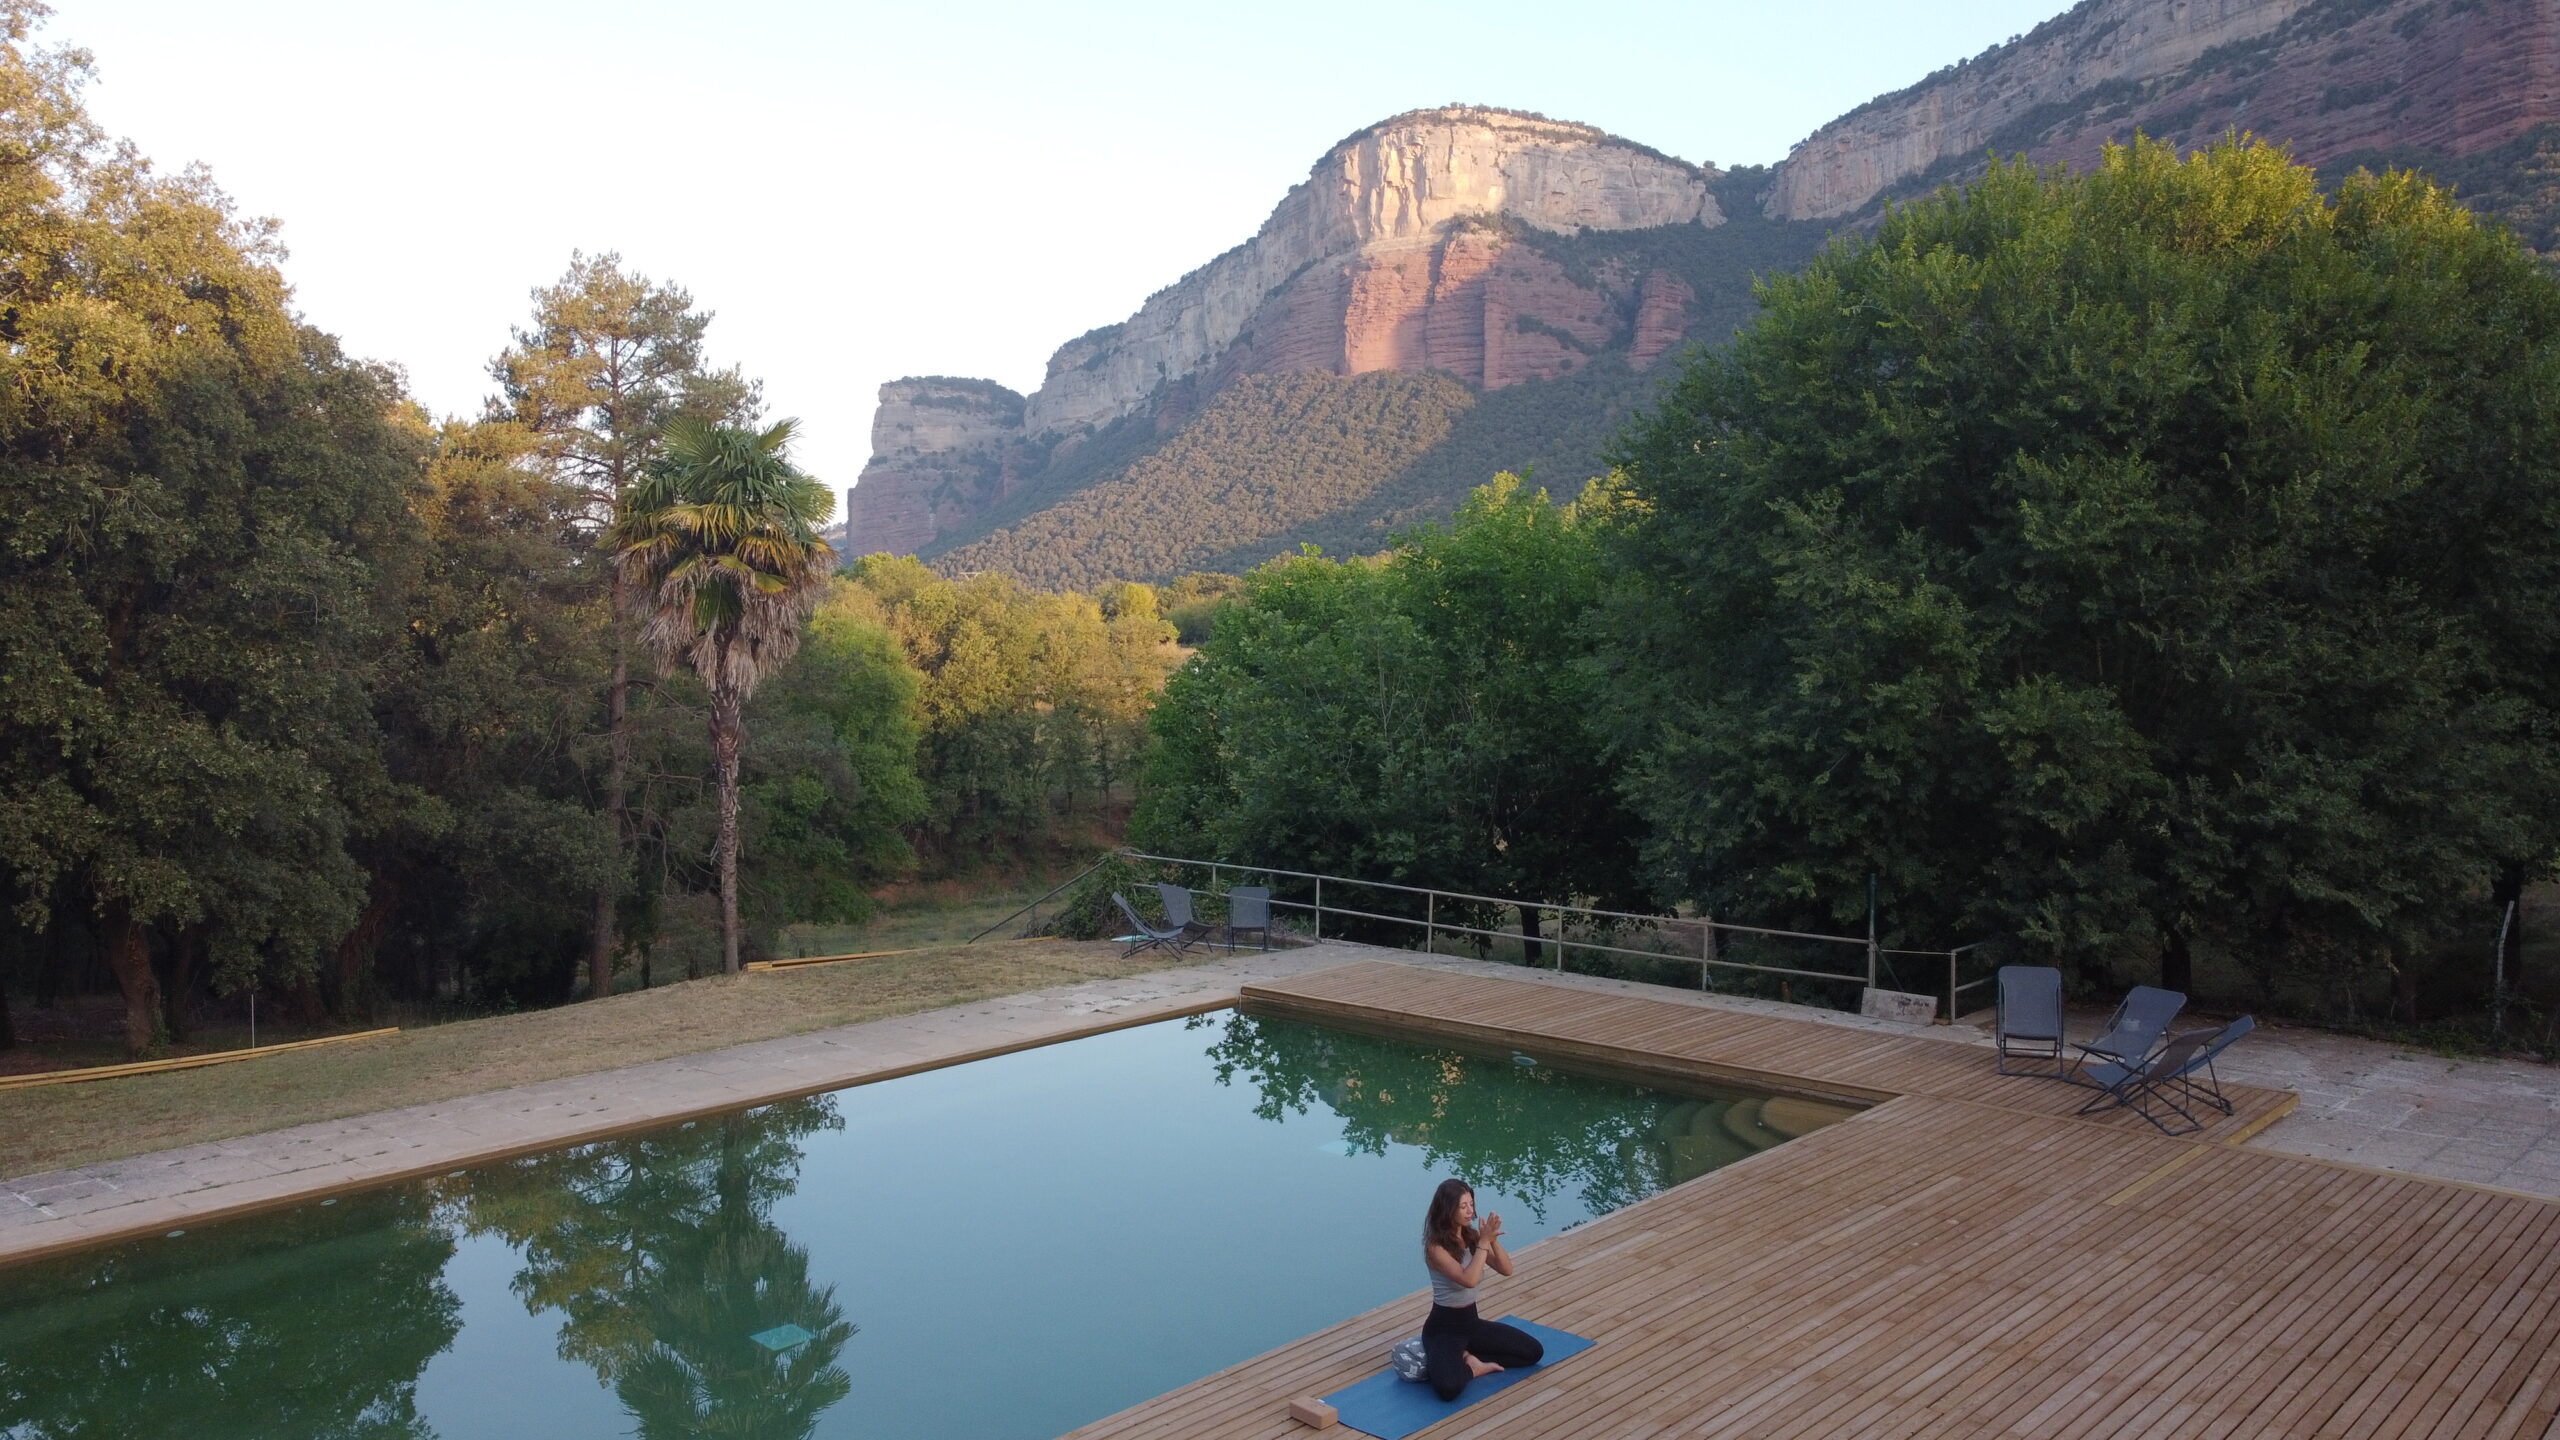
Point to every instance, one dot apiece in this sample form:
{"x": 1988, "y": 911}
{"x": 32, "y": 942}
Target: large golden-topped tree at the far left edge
{"x": 209, "y": 511}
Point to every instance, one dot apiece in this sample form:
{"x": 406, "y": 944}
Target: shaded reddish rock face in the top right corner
{"x": 2420, "y": 73}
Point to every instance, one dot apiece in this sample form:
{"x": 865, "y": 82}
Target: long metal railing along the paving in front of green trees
{"x": 1709, "y": 957}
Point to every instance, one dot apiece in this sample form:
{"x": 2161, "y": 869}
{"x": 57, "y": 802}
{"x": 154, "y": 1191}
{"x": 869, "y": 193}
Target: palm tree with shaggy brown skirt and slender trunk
{"x": 718, "y": 542}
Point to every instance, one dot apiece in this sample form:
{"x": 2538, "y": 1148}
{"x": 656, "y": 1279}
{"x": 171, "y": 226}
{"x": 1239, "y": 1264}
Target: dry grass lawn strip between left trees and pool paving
{"x": 104, "y": 1121}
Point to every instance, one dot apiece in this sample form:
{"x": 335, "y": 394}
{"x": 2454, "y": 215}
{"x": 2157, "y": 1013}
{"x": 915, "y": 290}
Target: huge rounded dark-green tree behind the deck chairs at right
{"x": 2126, "y": 560}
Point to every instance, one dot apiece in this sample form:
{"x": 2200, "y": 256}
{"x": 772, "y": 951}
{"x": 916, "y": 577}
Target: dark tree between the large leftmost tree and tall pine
{"x": 485, "y": 706}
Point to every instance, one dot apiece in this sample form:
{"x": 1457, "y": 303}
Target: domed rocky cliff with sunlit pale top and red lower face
{"x": 1402, "y": 250}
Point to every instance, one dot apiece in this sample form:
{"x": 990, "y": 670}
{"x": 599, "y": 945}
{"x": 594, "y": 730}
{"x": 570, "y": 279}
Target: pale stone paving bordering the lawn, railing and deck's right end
{"x": 2467, "y": 1121}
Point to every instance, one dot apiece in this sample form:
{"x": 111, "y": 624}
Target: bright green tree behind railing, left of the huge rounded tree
{"x": 1420, "y": 719}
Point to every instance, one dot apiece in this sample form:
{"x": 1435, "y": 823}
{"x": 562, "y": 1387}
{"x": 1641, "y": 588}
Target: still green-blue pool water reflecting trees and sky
{"x": 1002, "y": 1249}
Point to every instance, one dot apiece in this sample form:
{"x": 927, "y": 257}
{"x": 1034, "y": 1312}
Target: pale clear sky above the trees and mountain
{"x": 874, "y": 191}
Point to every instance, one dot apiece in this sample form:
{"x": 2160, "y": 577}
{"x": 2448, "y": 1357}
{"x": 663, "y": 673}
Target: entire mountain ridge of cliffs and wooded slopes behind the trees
{"x": 1550, "y": 270}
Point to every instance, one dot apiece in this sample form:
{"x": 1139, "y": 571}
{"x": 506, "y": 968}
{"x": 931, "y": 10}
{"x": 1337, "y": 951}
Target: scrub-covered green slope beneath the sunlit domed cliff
{"x": 1315, "y": 460}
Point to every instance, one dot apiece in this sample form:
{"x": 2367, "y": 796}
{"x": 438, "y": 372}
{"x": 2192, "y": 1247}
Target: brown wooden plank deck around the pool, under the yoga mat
{"x": 1962, "y": 1259}
